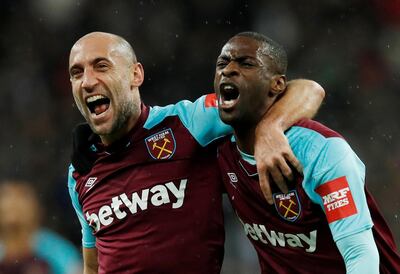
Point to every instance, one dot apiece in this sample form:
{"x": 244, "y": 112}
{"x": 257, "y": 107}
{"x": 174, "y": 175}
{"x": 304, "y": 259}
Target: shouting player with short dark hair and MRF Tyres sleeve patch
{"x": 327, "y": 222}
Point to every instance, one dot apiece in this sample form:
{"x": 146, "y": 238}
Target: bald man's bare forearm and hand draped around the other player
{"x": 273, "y": 154}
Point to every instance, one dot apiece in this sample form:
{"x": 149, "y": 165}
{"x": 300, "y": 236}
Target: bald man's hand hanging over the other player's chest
{"x": 274, "y": 161}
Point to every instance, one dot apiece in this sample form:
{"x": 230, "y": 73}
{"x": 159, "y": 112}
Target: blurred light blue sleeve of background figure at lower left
{"x": 62, "y": 256}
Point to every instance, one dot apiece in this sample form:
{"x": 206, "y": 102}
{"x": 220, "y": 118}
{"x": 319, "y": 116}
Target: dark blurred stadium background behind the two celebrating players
{"x": 352, "y": 48}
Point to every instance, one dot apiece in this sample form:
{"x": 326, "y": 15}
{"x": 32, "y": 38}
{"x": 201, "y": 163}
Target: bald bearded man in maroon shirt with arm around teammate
{"x": 144, "y": 180}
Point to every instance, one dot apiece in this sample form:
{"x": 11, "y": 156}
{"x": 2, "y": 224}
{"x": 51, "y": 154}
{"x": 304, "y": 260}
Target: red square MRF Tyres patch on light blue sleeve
{"x": 337, "y": 198}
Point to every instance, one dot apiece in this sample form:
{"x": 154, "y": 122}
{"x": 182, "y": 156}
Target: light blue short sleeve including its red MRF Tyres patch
{"x": 339, "y": 189}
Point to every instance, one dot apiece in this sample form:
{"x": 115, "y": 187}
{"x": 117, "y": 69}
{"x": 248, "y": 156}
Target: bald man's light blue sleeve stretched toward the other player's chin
{"x": 201, "y": 118}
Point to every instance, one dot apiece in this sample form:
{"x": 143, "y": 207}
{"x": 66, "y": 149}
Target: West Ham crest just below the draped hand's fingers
{"x": 287, "y": 205}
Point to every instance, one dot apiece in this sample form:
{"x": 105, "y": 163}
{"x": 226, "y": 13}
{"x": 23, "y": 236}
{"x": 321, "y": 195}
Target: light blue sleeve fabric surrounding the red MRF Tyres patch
{"x": 325, "y": 159}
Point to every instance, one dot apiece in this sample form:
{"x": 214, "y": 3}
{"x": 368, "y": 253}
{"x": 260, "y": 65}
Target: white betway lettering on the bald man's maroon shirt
{"x": 157, "y": 196}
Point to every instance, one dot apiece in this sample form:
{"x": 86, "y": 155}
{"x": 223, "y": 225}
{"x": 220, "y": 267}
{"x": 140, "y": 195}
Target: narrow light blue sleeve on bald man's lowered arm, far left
{"x": 88, "y": 239}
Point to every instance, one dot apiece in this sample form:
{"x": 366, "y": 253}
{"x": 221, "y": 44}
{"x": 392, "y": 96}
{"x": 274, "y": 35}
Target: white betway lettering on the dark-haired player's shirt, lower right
{"x": 275, "y": 238}
